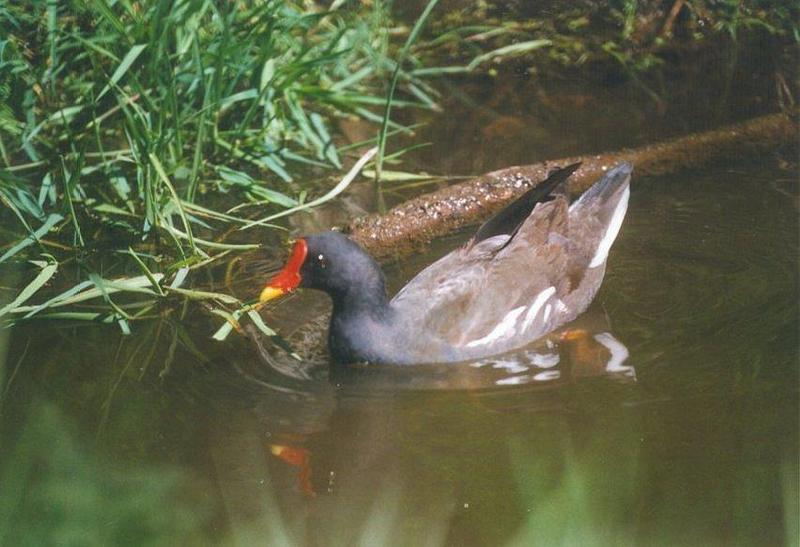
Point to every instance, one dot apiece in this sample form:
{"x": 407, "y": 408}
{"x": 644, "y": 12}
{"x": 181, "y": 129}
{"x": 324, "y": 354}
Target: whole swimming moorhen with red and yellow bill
{"x": 534, "y": 266}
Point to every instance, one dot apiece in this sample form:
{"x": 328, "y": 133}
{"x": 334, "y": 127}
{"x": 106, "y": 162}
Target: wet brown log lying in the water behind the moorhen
{"x": 417, "y": 221}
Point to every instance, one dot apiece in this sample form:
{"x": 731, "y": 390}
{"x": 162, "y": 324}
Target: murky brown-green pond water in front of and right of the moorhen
{"x": 671, "y": 418}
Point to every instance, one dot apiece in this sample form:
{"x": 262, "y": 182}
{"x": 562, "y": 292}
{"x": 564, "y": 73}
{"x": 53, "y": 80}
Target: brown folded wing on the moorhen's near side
{"x": 466, "y": 295}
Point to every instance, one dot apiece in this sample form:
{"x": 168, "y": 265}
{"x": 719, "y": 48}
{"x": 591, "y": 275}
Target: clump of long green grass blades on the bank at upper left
{"x": 153, "y": 131}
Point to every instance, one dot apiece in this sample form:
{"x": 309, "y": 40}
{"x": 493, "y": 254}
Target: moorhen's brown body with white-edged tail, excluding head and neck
{"x": 508, "y": 290}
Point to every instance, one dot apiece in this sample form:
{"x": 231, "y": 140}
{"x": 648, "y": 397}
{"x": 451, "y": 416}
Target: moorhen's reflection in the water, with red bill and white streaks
{"x": 298, "y": 403}
